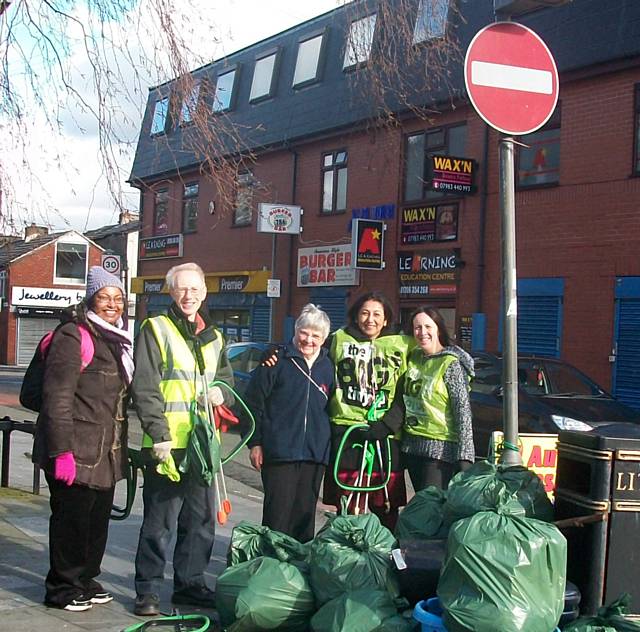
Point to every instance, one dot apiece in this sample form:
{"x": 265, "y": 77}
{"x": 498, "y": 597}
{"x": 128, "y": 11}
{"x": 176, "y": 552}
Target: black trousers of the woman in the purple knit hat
{"x": 78, "y": 530}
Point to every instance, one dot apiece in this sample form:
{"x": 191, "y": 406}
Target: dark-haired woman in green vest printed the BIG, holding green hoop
{"x": 369, "y": 360}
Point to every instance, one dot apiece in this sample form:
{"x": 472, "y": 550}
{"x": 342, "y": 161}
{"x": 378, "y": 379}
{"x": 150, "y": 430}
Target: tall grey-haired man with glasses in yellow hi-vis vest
{"x": 177, "y": 356}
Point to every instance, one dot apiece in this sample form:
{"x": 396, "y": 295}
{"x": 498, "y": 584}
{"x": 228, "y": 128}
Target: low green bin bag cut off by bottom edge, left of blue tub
{"x": 356, "y": 611}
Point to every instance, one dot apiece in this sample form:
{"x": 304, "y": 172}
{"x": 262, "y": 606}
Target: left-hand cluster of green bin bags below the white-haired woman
{"x": 342, "y": 580}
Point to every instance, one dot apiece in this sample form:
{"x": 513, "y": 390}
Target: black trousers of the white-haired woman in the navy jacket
{"x": 290, "y": 496}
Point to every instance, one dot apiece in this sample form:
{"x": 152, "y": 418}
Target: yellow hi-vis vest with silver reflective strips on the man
{"x": 181, "y": 382}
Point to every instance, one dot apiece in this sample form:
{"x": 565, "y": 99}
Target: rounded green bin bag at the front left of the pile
{"x": 264, "y": 594}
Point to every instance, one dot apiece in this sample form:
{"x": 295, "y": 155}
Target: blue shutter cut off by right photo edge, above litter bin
{"x": 626, "y": 371}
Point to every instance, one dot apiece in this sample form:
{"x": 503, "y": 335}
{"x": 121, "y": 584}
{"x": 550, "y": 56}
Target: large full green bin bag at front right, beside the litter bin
{"x": 503, "y": 571}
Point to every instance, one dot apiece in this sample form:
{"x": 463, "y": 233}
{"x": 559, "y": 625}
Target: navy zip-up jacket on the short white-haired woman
{"x": 289, "y": 402}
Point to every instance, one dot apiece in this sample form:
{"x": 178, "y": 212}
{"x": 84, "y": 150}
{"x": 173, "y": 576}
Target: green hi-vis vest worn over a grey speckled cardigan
{"x": 426, "y": 399}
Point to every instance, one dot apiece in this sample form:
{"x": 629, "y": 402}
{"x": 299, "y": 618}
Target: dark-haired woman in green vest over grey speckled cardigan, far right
{"x": 433, "y": 408}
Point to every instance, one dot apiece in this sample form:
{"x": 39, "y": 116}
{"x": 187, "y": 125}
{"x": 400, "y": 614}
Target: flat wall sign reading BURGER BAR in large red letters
{"x": 326, "y": 265}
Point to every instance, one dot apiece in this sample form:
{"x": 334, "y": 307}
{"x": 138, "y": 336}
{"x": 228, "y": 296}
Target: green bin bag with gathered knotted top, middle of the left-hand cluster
{"x": 352, "y": 552}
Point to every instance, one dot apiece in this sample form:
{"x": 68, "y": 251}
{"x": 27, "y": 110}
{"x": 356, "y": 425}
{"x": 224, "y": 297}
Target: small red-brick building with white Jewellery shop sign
{"x": 39, "y": 276}
